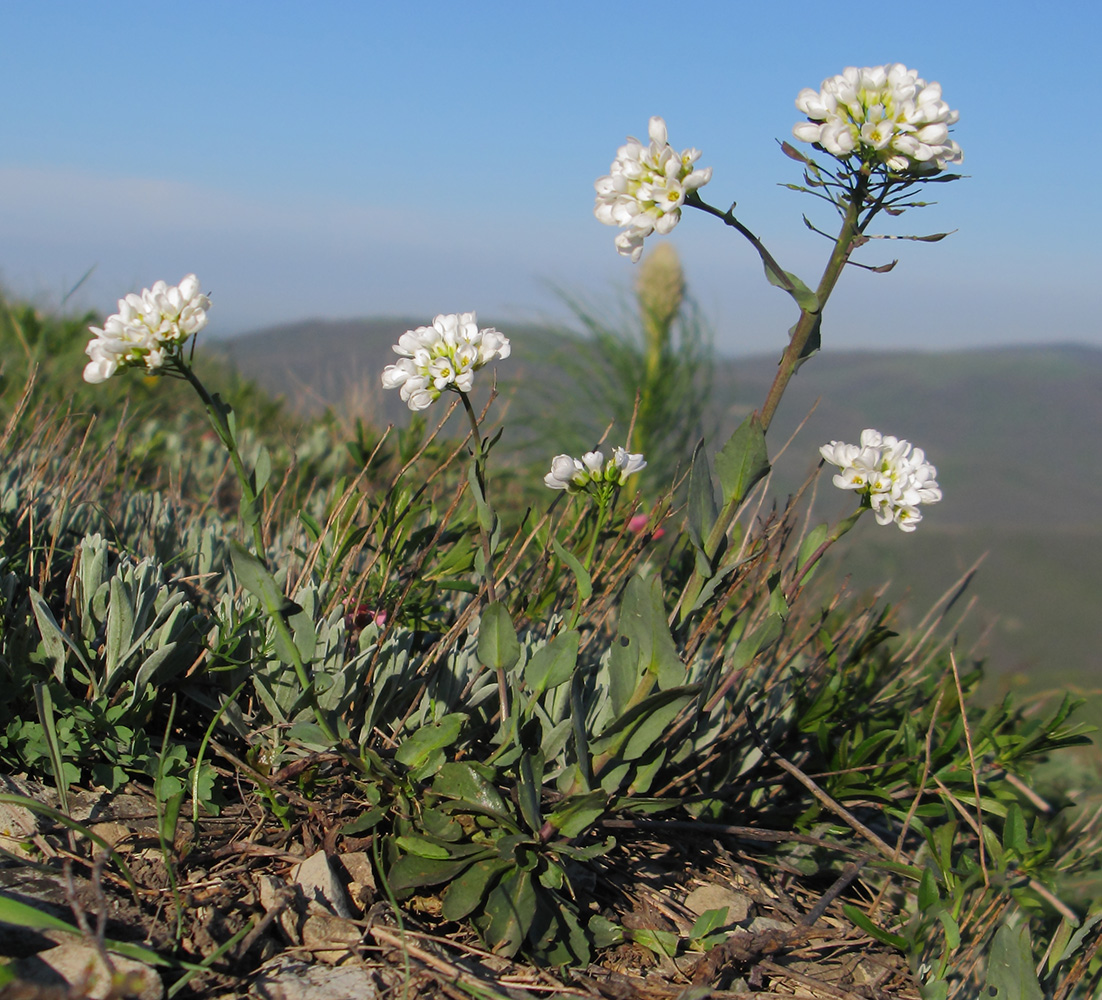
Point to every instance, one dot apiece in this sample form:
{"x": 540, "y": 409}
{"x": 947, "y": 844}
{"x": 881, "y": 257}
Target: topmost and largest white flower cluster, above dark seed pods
{"x": 884, "y": 114}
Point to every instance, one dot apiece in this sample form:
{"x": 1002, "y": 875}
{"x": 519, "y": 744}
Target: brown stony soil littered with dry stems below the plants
{"x": 234, "y": 881}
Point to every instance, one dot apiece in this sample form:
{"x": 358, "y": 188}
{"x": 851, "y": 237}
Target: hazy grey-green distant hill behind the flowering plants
{"x": 1013, "y": 433}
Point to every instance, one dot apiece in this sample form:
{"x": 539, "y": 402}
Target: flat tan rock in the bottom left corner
{"x": 79, "y": 967}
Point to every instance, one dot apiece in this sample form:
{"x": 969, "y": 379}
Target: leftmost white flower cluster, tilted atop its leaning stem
{"x": 147, "y": 329}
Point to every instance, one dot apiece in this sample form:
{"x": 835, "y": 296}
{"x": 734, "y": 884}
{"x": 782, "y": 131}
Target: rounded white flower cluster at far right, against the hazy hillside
{"x": 890, "y": 474}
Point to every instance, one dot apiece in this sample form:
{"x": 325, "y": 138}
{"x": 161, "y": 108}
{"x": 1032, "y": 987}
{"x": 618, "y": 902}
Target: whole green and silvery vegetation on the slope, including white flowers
{"x": 515, "y": 713}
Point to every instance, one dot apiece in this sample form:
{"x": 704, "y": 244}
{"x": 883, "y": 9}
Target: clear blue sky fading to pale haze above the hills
{"x": 356, "y": 159}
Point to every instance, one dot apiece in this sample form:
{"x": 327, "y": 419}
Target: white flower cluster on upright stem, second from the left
{"x": 442, "y": 357}
